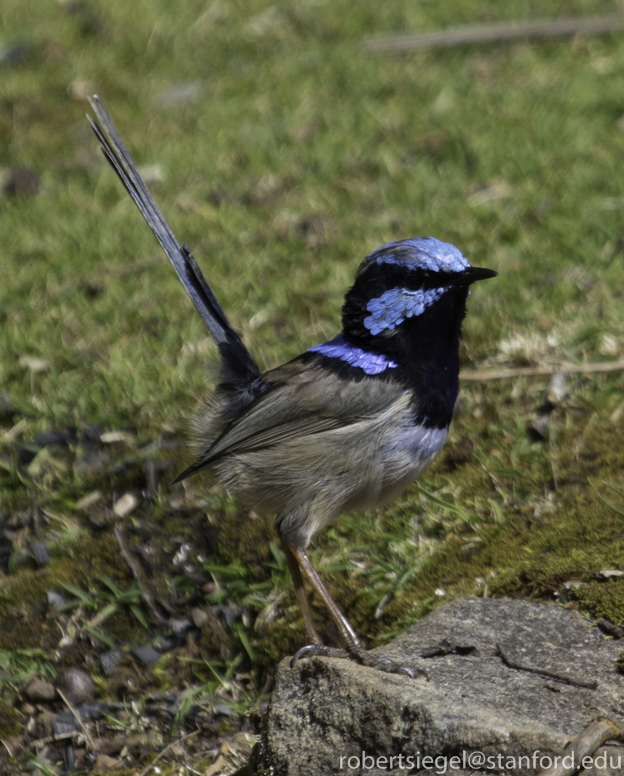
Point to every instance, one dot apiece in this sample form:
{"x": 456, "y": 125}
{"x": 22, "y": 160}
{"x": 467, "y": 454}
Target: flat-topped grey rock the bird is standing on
{"x": 325, "y": 711}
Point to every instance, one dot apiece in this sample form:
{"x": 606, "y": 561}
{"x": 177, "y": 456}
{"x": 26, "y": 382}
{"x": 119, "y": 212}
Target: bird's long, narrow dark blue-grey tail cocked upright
{"x": 239, "y": 368}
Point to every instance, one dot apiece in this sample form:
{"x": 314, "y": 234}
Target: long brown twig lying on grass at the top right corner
{"x": 493, "y": 33}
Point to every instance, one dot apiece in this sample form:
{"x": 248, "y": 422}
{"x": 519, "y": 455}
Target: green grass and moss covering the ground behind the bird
{"x": 300, "y": 156}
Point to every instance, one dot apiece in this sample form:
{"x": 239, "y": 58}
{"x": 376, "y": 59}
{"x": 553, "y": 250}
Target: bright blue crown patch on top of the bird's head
{"x": 424, "y": 252}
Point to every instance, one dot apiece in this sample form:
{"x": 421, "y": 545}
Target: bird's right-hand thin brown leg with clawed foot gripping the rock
{"x": 354, "y": 647}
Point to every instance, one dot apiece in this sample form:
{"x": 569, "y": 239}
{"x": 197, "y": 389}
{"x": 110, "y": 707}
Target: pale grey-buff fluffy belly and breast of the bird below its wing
{"x": 308, "y": 481}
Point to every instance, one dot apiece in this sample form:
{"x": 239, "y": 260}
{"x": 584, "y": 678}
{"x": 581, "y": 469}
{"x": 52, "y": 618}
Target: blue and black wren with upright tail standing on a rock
{"x": 348, "y": 424}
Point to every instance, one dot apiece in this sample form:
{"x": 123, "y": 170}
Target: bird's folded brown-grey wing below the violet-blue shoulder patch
{"x": 301, "y": 401}
